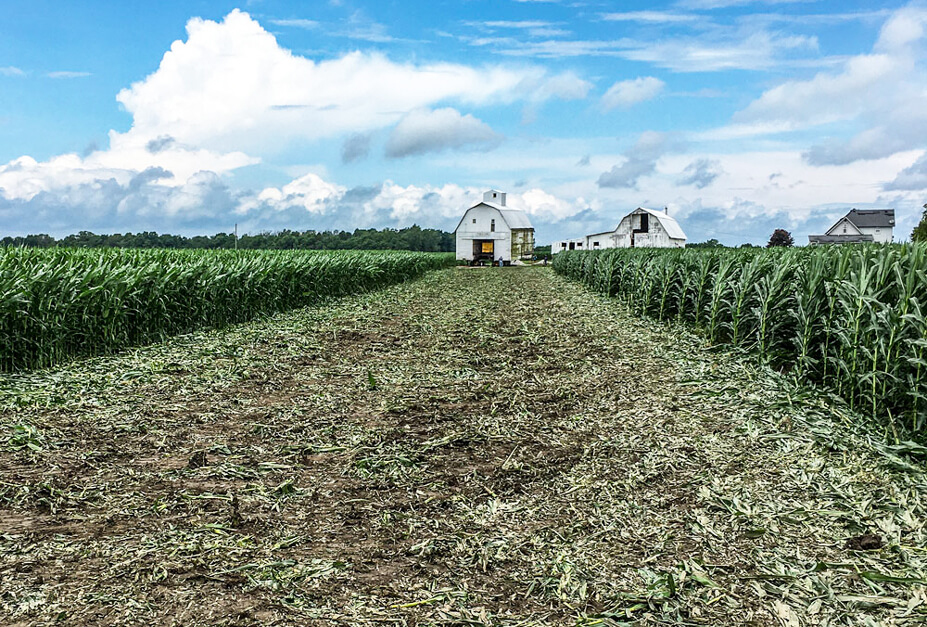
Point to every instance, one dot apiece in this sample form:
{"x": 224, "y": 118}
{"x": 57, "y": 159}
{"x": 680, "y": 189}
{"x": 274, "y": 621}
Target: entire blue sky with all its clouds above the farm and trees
{"x": 739, "y": 116}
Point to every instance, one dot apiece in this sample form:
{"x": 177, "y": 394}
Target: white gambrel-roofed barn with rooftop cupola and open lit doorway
{"x": 490, "y": 231}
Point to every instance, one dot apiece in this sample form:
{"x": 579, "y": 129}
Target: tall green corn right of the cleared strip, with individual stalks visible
{"x": 851, "y": 319}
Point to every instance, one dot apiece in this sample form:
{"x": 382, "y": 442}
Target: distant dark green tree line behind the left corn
{"x": 409, "y": 238}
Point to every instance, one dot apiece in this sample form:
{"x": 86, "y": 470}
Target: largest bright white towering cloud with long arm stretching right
{"x": 231, "y": 84}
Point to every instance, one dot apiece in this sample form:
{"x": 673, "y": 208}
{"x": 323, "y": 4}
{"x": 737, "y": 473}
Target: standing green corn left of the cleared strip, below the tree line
{"x": 56, "y": 304}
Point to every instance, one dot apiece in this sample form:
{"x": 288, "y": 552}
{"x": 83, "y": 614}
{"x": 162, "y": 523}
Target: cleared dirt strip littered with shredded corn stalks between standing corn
{"x": 480, "y": 447}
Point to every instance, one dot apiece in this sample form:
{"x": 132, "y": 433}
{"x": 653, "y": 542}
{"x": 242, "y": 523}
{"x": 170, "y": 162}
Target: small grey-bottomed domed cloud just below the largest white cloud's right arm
{"x": 433, "y": 131}
